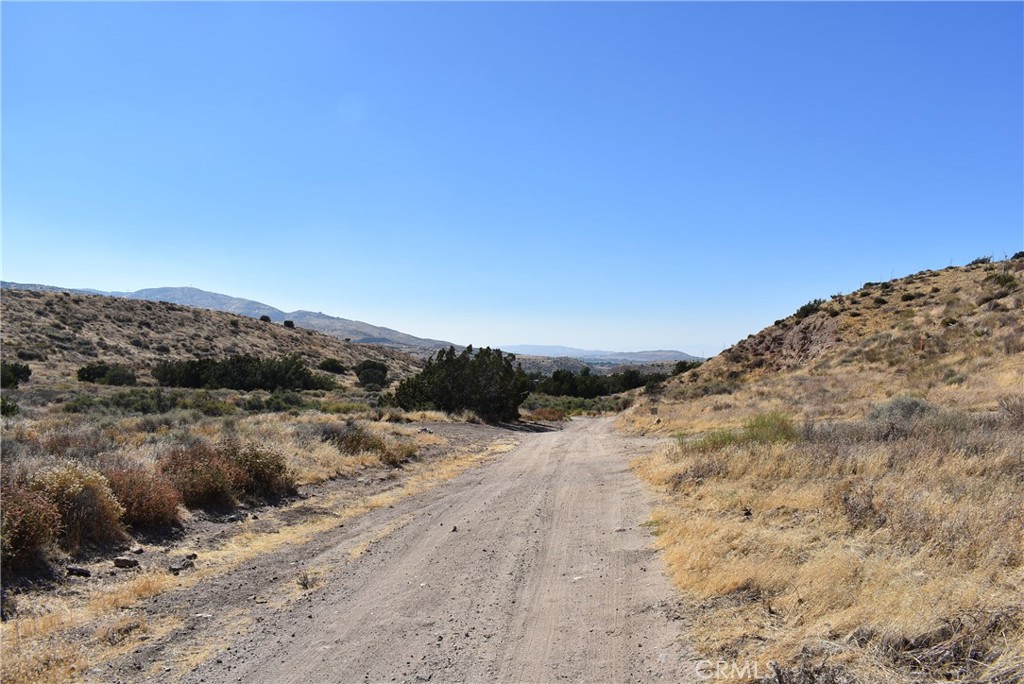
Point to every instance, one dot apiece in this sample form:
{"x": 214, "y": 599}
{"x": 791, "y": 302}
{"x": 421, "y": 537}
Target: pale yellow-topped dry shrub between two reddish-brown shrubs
{"x": 90, "y": 512}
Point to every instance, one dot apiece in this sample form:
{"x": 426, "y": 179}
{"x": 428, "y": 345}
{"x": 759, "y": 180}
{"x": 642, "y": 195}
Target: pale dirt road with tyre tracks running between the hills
{"x": 531, "y": 569}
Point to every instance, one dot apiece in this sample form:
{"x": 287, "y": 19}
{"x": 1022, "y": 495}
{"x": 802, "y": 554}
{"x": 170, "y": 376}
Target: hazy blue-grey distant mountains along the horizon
{"x": 357, "y": 331}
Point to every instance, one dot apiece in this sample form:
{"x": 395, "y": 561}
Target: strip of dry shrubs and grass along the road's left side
{"x": 79, "y": 484}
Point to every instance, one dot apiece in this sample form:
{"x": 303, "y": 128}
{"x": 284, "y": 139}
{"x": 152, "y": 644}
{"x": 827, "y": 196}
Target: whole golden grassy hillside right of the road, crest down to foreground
{"x": 845, "y": 495}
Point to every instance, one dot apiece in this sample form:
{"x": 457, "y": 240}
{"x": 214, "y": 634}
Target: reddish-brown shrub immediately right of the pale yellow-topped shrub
{"x": 149, "y": 498}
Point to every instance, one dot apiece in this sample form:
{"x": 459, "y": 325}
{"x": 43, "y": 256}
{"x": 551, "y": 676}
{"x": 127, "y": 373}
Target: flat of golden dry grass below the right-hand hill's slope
{"x": 890, "y": 547}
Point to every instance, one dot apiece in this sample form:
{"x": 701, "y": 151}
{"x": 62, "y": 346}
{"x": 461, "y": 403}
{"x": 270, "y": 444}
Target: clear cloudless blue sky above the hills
{"x": 604, "y": 176}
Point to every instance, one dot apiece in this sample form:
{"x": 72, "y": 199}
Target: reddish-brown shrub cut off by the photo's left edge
{"x": 29, "y": 525}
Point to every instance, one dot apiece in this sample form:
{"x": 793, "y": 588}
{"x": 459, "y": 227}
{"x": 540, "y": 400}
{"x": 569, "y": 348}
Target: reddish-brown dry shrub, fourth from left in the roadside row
{"x": 204, "y": 477}
